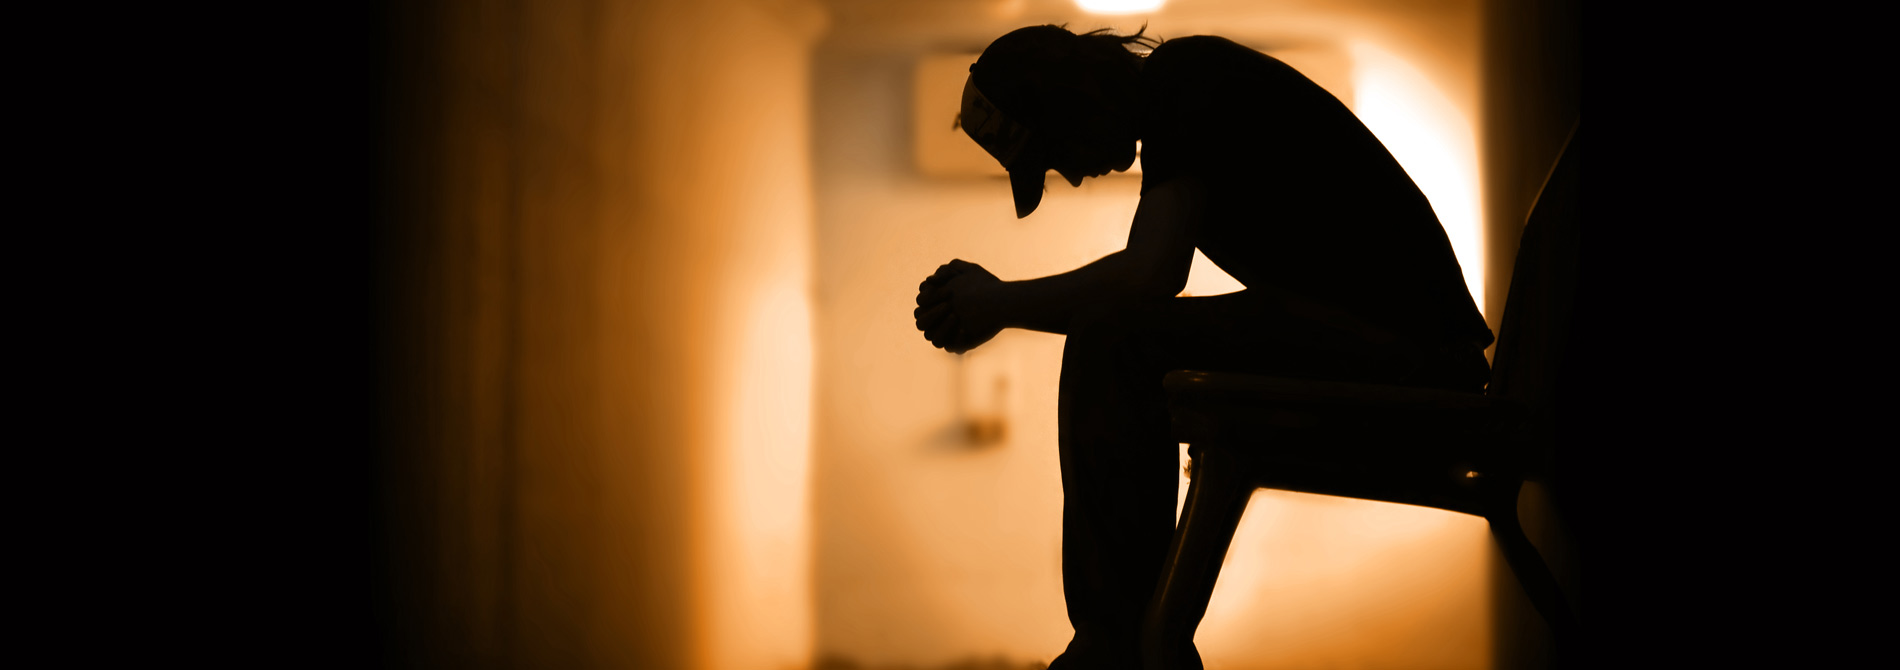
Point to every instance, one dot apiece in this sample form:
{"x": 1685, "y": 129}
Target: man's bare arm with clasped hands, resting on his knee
{"x": 962, "y": 307}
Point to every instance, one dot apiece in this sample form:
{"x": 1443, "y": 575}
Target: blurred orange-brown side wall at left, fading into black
{"x": 596, "y": 274}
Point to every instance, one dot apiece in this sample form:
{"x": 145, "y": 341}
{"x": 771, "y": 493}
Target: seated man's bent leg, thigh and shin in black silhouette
{"x": 1118, "y": 460}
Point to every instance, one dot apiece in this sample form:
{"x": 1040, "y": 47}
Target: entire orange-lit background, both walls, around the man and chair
{"x": 658, "y": 394}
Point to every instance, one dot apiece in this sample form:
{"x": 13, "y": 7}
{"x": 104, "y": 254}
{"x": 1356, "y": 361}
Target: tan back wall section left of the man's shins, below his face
{"x": 932, "y": 549}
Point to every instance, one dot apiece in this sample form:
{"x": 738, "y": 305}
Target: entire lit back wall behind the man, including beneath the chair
{"x": 936, "y": 549}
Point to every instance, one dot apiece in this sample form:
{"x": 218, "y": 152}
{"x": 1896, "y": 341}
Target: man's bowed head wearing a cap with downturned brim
{"x": 1044, "y": 100}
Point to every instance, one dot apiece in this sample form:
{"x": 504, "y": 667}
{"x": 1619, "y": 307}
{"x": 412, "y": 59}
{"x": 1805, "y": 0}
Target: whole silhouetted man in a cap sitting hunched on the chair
{"x": 1348, "y": 274}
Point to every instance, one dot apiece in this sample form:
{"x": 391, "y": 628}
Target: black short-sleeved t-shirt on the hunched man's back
{"x": 1299, "y": 193}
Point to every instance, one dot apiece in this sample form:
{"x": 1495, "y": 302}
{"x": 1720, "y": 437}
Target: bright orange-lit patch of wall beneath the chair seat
{"x": 1320, "y": 582}
